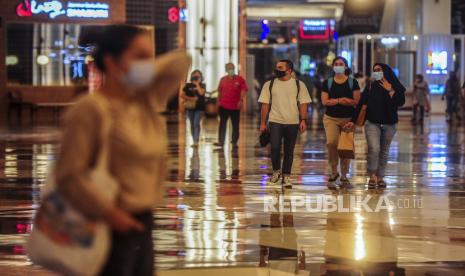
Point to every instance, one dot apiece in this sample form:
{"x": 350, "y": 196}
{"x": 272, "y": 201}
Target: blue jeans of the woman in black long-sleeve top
{"x": 379, "y": 138}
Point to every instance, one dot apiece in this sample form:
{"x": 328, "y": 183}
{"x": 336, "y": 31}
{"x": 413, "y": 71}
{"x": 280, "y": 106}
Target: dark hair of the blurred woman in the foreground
{"x": 114, "y": 40}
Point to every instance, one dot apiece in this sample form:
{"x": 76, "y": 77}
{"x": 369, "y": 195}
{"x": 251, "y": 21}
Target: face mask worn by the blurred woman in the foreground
{"x": 140, "y": 74}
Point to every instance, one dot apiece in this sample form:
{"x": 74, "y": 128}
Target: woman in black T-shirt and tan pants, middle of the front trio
{"x": 340, "y": 95}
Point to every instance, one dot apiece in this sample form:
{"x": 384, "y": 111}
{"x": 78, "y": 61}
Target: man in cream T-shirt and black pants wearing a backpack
{"x": 284, "y": 105}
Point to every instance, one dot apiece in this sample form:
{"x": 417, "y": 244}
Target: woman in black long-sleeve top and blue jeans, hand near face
{"x": 382, "y": 98}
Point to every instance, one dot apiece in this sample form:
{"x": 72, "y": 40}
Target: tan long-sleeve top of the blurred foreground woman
{"x": 137, "y": 146}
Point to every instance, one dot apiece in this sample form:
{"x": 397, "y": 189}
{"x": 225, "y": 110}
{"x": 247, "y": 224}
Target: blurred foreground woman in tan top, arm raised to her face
{"x": 135, "y": 85}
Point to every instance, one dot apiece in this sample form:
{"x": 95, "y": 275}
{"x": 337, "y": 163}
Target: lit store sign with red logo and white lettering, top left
{"x": 58, "y": 8}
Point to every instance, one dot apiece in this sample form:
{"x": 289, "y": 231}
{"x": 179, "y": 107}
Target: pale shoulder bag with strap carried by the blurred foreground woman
{"x": 63, "y": 239}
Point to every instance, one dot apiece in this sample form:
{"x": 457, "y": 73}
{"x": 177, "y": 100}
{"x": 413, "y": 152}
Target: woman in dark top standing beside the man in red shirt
{"x": 193, "y": 94}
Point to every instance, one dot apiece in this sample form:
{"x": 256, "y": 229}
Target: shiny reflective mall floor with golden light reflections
{"x": 220, "y": 213}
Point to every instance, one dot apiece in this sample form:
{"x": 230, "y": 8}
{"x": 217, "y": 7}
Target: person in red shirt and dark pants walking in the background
{"x": 231, "y": 92}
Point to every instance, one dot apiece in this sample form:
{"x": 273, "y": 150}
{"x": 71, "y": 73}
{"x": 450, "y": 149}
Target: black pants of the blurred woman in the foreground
{"x": 132, "y": 253}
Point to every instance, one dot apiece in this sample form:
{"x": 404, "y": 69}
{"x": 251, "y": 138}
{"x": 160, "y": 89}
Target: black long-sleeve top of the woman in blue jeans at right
{"x": 381, "y": 108}
